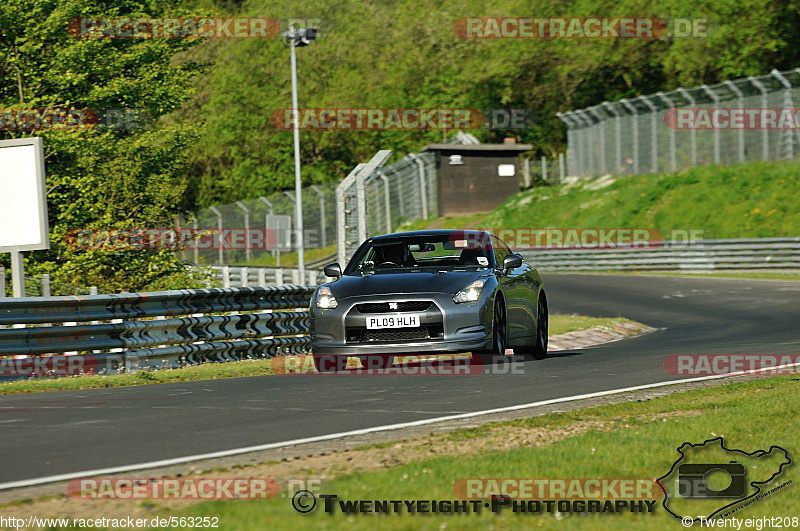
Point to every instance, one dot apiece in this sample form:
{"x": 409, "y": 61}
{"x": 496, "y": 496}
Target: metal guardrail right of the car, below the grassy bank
{"x": 703, "y": 255}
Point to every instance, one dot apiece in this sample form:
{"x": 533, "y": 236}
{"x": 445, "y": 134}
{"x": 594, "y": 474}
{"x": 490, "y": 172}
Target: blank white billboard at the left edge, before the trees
{"x": 23, "y": 198}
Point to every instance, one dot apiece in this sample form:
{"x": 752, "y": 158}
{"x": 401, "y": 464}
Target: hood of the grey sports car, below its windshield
{"x": 388, "y": 283}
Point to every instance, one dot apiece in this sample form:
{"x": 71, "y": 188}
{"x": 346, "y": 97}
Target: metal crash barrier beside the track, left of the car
{"x": 156, "y": 330}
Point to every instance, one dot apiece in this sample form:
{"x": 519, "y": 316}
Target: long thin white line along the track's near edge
{"x": 363, "y": 431}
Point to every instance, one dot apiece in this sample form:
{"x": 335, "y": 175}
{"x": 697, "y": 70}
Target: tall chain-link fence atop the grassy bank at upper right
{"x": 643, "y": 135}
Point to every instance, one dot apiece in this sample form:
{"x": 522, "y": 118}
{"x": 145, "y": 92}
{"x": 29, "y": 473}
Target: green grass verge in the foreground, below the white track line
{"x": 633, "y": 440}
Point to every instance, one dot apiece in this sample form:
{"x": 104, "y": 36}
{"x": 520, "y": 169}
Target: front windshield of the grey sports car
{"x": 442, "y": 252}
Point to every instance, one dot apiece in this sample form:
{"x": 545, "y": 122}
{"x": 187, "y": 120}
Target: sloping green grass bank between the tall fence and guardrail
{"x": 753, "y": 200}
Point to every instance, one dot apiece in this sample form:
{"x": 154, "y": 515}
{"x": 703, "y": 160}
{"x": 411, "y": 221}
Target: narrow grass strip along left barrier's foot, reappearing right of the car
{"x": 559, "y": 324}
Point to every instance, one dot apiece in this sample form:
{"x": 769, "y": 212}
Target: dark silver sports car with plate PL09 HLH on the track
{"x": 432, "y": 291}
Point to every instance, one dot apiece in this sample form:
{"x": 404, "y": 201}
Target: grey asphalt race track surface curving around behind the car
{"x": 47, "y": 434}
